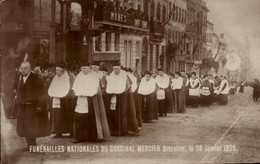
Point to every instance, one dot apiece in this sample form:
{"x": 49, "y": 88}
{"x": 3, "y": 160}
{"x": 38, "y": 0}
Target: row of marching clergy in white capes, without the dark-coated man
{"x": 118, "y": 102}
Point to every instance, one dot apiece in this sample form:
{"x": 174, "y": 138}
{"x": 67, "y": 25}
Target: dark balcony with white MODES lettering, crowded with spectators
{"x": 108, "y": 13}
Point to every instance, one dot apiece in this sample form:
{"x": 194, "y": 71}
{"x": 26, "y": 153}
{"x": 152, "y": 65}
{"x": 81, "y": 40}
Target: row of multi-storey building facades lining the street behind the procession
{"x": 141, "y": 34}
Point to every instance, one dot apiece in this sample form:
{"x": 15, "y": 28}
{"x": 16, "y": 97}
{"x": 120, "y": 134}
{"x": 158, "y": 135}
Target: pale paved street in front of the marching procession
{"x": 230, "y": 132}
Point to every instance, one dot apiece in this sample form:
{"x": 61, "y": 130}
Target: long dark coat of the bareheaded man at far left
{"x": 31, "y": 123}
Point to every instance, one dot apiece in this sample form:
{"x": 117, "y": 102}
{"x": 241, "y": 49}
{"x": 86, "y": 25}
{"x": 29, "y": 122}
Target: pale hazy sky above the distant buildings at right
{"x": 238, "y": 19}
